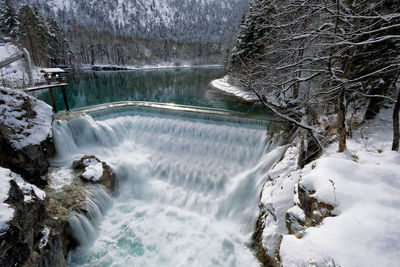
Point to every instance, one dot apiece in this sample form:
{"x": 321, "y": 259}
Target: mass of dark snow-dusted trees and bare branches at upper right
{"x": 314, "y": 53}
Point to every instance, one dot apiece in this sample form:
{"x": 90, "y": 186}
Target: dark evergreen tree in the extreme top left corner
{"x": 8, "y": 19}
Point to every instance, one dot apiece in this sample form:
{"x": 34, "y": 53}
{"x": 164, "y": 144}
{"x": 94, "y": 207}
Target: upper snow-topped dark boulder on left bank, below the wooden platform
{"x": 25, "y": 134}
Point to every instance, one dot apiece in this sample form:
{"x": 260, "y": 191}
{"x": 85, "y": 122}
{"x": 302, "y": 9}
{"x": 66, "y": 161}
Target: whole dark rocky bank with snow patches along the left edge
{"x": 36, "y": 230}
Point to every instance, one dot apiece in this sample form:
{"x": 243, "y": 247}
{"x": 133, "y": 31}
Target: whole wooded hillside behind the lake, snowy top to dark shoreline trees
{"x": 131, "y": 32}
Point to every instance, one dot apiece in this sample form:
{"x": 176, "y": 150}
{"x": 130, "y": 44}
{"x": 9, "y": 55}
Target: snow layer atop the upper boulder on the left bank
{"x": 26, "y": 131}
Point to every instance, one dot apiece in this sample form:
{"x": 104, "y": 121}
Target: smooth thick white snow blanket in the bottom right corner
{"x": 365, "y": 232}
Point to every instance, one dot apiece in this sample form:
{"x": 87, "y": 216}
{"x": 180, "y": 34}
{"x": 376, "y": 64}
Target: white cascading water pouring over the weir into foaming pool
{"x": 188, "y": 187}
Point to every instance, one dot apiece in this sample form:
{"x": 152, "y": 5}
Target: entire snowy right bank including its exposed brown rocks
{"x": 354, "y": 202}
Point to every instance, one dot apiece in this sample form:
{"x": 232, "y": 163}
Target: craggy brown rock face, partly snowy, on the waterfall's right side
{"x": 288, "y": 206}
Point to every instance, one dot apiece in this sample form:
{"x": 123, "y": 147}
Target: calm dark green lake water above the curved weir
{"x": 187, "y": 86}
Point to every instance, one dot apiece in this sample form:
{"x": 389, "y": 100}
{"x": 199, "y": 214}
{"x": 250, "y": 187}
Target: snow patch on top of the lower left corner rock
{"x": 7, "y": 212}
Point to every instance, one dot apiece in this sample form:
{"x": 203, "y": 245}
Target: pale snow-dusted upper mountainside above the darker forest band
{"x": 179, "y": 20}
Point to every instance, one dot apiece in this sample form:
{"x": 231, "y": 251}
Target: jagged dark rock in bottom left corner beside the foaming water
{"x": 35, "y": 236}
